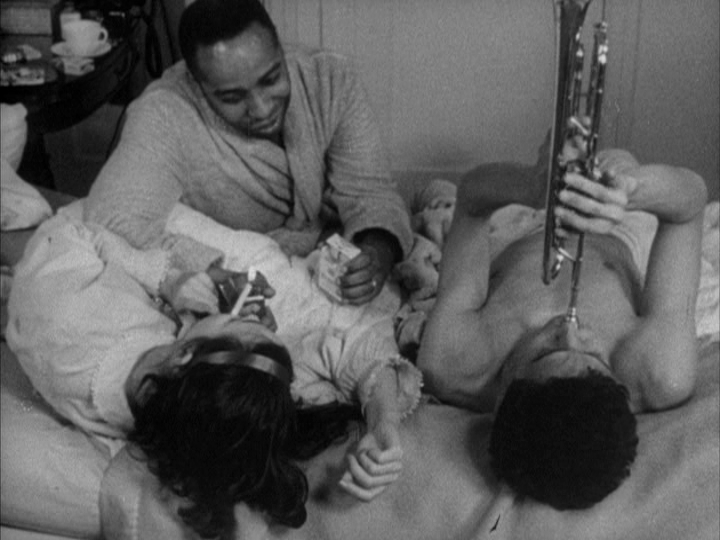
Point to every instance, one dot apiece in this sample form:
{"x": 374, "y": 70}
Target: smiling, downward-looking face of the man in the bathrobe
{"x": 245, "y": 80}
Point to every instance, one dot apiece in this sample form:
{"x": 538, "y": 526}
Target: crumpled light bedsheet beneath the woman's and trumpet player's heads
{"x": 447, "y": 492}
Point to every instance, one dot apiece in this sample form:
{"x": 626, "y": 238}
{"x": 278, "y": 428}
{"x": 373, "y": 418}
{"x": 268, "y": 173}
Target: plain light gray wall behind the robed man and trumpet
{"x": 460, "y": 82}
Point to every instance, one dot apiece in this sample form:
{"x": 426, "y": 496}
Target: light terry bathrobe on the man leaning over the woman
{"x": 175, "y": 148}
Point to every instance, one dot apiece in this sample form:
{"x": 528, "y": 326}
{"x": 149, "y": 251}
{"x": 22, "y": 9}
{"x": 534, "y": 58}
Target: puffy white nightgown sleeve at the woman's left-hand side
{"x": 77, "y": 326}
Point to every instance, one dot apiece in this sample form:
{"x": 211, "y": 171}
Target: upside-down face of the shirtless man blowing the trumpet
{"x": 558, "y": 349}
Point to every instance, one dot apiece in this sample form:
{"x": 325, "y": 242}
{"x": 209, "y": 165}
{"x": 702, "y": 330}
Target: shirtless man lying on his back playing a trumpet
{"x": 565, "y": 391}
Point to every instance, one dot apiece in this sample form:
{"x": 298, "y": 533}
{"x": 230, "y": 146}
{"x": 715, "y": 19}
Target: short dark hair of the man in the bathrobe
{"x": 206, "y": 22}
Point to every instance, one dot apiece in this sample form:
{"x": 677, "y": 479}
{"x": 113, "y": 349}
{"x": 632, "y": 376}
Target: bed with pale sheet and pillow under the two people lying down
{"x": 58, "y": 484}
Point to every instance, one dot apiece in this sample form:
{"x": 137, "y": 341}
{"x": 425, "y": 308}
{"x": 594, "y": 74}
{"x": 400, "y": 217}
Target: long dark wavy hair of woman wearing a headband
{"x": 220, "y": 434}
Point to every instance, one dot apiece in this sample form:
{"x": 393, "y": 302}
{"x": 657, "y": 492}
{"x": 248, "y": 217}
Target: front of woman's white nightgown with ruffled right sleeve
{"x": 333, "y": 345}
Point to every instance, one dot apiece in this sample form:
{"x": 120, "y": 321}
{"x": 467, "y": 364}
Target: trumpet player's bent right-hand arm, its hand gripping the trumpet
{"x": 657, "y": 360}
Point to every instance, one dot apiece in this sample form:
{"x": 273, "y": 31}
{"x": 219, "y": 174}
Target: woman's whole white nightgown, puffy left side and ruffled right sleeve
{"x": 78, "y": 325}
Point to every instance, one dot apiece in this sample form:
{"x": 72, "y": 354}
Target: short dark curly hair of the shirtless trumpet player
{"x": 567, "y": 442}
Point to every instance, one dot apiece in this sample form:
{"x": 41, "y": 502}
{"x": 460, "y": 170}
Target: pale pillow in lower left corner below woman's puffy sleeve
{"x": 51, "y": 471}
